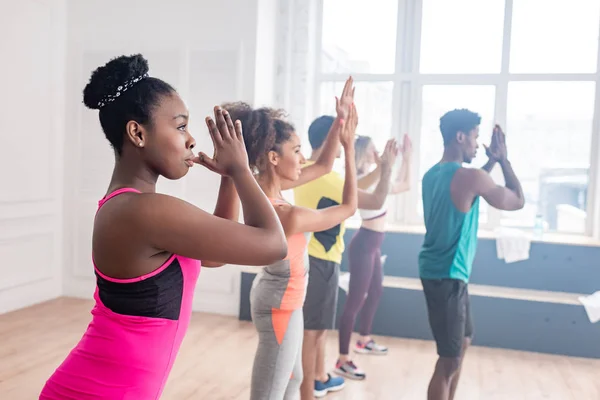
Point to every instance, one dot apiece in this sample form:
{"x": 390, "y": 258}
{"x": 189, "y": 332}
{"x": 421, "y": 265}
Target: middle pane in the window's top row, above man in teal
{"x": 462, "y": 36}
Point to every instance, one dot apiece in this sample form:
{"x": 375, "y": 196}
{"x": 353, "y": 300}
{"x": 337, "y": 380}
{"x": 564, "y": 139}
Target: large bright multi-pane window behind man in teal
{"x": 529, "y": 65}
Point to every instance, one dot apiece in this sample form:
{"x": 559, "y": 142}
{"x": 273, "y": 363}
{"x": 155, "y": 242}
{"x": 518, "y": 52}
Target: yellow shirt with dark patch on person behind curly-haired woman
{"x": 321, "y": 193}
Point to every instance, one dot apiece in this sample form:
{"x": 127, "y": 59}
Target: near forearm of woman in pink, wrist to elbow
{"x": 258, "y": 210}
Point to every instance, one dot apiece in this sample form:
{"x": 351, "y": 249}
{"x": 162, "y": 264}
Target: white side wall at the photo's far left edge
{"x": 32, "y": 45}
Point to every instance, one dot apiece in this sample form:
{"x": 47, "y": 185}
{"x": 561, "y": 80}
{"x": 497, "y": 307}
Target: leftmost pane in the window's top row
{"x": 359, "y": 36}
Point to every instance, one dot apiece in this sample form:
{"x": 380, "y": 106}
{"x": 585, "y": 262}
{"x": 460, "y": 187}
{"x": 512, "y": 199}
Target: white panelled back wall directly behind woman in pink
{"x": 207, "y": 50}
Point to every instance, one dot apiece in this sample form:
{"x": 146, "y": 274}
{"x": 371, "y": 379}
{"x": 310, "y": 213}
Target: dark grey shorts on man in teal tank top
{"x": 449, "y": 312}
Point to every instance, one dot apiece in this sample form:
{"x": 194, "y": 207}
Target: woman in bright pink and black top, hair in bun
{"x": 146, "y": 246}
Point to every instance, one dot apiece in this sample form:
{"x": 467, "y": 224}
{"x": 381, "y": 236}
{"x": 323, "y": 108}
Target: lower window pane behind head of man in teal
{"x": 439, "y": 99}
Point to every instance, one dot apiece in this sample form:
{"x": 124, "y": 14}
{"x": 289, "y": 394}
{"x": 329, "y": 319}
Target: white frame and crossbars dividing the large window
{"x": 407, "y": 105}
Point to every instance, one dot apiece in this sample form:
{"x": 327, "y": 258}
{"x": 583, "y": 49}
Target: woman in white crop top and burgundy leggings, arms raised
{"x": 364, "y": 254}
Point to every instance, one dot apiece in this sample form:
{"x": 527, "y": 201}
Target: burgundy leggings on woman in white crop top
{"x": 366, "y": 280}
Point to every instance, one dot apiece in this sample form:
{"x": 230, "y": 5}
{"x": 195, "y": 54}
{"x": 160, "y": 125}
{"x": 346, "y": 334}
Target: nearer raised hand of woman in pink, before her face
{"x": 229, "y": 157}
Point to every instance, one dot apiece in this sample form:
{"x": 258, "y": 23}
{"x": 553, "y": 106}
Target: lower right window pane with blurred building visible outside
{"x": 549, "y": 132}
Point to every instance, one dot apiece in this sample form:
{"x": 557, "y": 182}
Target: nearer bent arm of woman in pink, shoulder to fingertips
{"x": 176, "y": 226}
